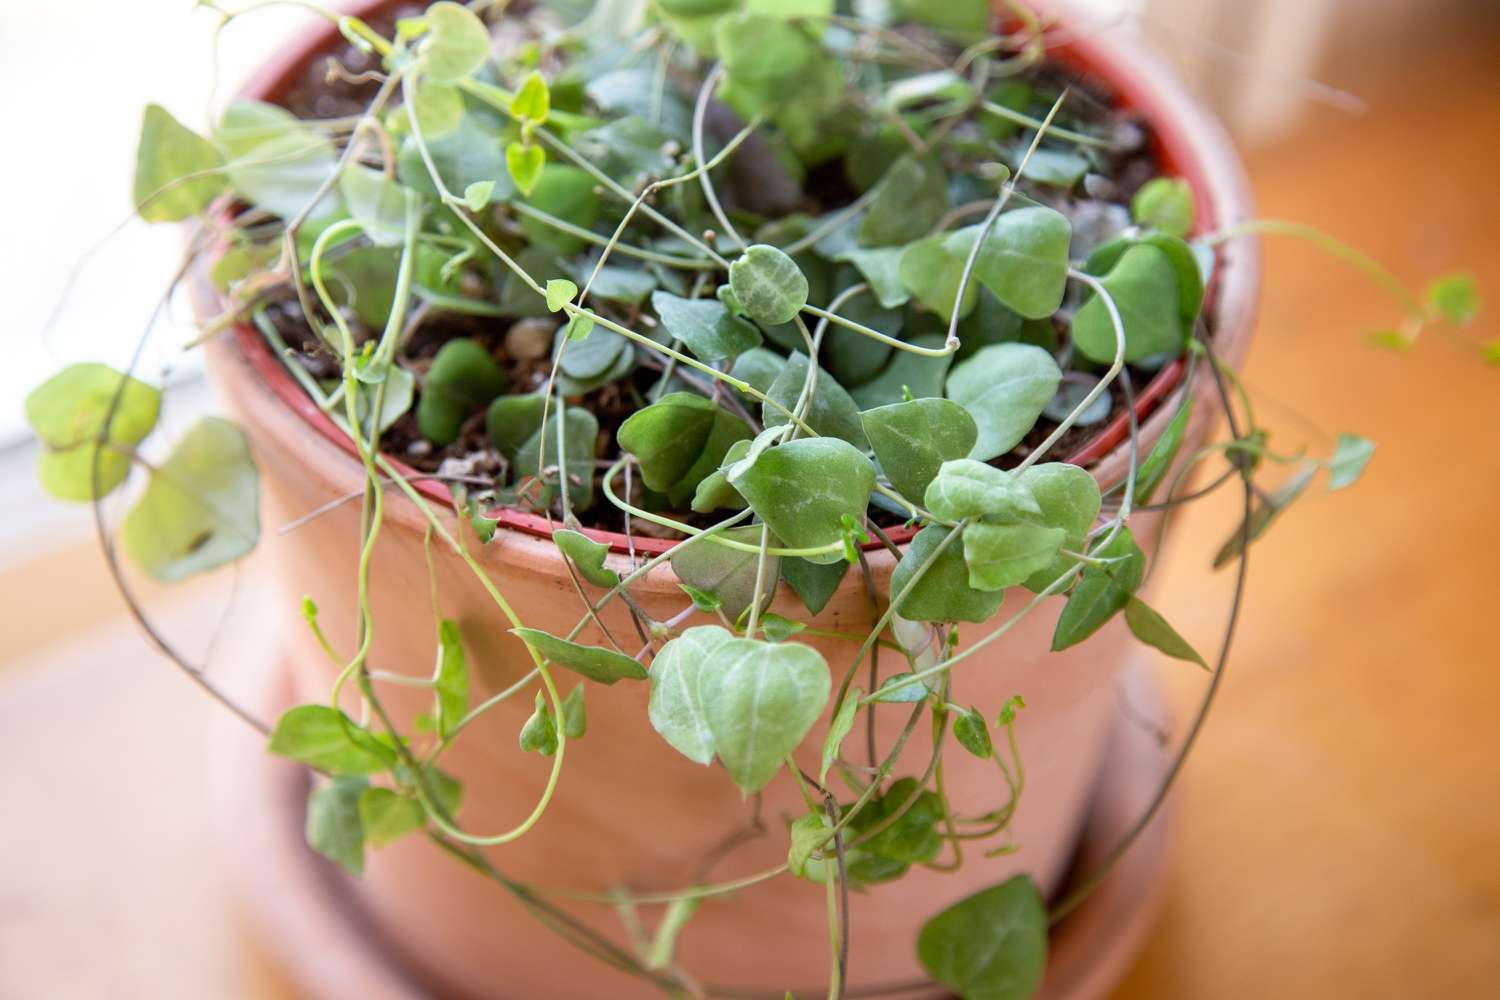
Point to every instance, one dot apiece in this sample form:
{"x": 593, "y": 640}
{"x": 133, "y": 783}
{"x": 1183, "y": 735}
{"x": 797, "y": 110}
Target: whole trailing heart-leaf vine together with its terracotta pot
{"x": 722, "y": 443}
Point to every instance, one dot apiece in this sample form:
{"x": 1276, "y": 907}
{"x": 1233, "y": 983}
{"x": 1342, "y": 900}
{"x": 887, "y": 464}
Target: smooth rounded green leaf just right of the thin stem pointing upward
{"x": 1025, "y": 260}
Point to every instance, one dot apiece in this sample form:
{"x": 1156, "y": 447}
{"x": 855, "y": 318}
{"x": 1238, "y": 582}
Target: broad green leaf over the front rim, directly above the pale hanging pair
{"x": 805, "y": 490}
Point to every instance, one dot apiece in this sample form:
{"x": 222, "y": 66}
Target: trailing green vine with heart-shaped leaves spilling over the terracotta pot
{"x": 584, "y": 271}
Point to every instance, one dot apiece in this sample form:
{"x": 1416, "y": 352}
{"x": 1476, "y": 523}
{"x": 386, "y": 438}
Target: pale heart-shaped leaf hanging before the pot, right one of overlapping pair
{"x": 761, "y": 699}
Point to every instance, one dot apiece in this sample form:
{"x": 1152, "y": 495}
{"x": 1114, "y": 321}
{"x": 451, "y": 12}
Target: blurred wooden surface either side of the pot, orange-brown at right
{"x": 1339, "y": 827}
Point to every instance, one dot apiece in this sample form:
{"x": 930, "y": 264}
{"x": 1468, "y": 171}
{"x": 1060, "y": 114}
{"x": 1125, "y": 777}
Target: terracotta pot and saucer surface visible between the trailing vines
{"x": 631, "y": 810}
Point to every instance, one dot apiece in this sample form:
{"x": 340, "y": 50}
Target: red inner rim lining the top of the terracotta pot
{"x": 1175, "y": 154}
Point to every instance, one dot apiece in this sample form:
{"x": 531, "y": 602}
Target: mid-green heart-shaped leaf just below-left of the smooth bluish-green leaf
{"x": 913, "y": 442}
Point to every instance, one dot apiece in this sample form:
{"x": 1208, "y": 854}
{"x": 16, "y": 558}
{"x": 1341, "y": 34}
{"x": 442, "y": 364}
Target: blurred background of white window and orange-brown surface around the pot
{"x": 1336, "y": 830}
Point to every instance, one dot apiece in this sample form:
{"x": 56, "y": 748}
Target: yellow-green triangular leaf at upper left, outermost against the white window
{"x": 169, "y": 155}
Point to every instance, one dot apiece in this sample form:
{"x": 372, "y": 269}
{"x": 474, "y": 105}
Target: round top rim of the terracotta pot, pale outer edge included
{"x": 1187, "y": 142}
